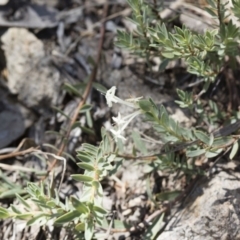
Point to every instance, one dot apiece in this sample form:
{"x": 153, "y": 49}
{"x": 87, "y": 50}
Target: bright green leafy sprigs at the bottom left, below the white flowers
{"x": 44, "y": 207}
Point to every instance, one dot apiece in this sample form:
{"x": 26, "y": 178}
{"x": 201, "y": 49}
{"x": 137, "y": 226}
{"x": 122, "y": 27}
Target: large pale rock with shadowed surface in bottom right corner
{"x": 212, "y": 211}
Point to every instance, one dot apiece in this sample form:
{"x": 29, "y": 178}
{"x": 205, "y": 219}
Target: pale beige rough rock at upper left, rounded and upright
{"x": 30, "y": 75}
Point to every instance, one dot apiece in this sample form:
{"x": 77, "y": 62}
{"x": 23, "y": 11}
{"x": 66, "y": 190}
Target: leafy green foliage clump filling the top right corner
{"x": 203, "y": 53}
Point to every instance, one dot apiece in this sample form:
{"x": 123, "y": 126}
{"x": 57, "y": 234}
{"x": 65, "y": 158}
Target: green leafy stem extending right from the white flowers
{"x": 176, "y": 137}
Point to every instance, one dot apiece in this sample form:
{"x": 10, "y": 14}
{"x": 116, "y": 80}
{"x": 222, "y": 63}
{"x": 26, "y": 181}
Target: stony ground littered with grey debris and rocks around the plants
{"x": 49, "y": 46}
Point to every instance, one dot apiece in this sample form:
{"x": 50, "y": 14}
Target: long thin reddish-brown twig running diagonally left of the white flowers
{"x": 85, "y": 94}
